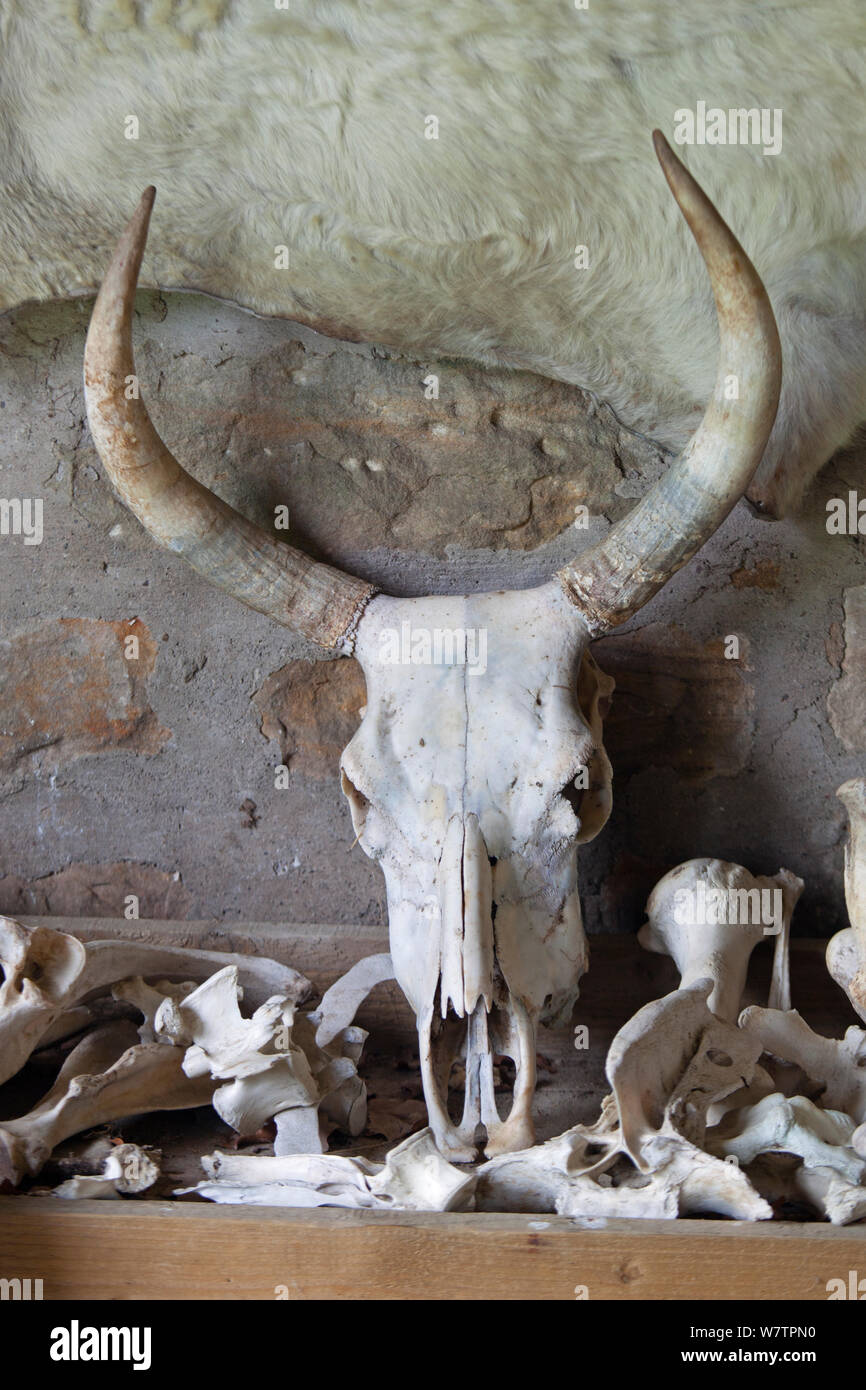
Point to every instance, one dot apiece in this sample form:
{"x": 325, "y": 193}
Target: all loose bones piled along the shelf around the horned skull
{"x": 712, "y": 1111}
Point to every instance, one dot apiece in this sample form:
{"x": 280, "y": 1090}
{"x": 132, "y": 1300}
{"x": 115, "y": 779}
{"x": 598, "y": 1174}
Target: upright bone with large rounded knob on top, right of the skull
{"x": 711, "y": 915}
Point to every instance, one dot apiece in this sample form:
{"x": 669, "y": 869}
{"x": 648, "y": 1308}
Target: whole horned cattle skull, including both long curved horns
{"x": 462, "y": 782}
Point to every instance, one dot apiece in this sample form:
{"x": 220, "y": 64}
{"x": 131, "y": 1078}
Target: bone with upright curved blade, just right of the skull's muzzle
{"x": 667, "y": 1067}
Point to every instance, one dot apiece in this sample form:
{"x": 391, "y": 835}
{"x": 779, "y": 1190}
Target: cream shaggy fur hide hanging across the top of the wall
{"x": 305, "y": 127}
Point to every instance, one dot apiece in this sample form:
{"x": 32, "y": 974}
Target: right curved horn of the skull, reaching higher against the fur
{"x": 642, "y": 553}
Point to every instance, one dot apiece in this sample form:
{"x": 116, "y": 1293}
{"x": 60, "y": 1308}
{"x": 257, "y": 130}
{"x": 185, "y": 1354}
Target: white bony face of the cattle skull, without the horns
{"x": 439, "y": 782}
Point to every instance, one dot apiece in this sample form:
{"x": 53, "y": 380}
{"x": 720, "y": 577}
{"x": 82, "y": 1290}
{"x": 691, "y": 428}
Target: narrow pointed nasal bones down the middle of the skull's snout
{"x": 466, "y": 901}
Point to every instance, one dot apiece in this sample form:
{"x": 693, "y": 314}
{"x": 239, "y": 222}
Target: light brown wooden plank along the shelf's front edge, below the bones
{"x": 159, "y": 1250}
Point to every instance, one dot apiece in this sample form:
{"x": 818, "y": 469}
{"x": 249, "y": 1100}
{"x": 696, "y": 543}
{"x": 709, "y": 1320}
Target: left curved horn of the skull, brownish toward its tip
{"x": 241, "y": 558}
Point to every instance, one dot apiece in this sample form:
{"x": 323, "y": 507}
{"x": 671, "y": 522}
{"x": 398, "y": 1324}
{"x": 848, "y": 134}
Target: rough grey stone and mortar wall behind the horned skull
{"x": 155, "y": 776}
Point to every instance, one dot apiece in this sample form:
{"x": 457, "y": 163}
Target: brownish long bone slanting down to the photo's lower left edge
{"x": 106, "y": 1078}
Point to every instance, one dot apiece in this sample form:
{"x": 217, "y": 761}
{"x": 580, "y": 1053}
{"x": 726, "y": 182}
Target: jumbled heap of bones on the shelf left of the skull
{"x": 193, "y": 1045}
